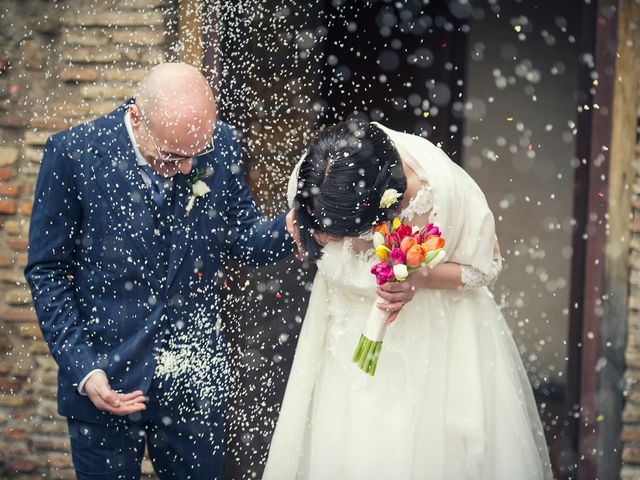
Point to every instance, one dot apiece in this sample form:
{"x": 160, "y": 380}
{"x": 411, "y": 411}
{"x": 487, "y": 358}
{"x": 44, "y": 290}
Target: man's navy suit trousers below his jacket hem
{"x": 184, "y": 437}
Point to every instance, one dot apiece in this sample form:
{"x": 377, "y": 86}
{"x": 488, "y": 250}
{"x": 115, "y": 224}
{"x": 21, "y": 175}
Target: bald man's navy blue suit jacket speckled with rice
{"x": 108, "y": 291}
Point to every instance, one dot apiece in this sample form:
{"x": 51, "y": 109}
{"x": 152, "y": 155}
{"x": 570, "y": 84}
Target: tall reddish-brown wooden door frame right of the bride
{"x": 602, "y": 205}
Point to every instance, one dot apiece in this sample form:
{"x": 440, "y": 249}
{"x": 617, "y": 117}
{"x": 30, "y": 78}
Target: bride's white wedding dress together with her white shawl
{"x": 450, "y": 398}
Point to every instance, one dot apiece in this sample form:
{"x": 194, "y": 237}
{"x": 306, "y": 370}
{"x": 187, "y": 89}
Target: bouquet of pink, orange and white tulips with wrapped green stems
{"x": 402, "y": 249}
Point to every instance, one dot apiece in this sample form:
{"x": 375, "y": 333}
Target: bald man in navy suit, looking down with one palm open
{"x": 133, "y": 214}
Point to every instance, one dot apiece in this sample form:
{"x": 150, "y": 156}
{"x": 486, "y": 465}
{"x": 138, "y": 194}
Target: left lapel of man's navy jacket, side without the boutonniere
{"x": 117, "y": 176}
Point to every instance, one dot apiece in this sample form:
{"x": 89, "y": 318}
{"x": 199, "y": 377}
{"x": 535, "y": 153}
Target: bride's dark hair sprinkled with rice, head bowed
{"x": 341, "y": 181}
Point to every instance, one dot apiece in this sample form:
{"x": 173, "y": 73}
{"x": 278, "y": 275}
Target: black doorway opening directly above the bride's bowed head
{"x": 398, "y": 63}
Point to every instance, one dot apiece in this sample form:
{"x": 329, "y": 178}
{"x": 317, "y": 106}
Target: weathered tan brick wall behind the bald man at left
{"x": 61, "y": 62}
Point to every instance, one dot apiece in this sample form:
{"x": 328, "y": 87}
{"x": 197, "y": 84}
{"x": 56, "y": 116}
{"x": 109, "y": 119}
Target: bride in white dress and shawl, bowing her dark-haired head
{"x": 450, "y": 398}
